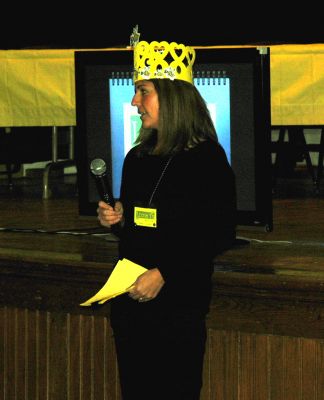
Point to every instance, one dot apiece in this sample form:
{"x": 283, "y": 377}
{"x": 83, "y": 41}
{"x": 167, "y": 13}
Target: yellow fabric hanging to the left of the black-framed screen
{"x": 37, "y": 88}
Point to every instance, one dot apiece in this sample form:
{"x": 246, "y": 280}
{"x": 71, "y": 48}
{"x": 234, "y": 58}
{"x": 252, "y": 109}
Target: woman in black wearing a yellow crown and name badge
{"x": 176, "y": 213}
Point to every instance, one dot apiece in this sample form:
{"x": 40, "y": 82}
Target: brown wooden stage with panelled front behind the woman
{"x": 266, "y": 323}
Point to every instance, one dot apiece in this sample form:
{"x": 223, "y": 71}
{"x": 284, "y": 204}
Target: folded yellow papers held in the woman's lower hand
{"x": 120, "y": 280}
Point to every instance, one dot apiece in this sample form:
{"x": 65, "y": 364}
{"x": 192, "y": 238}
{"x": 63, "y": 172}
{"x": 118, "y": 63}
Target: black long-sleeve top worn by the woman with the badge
{"x": 196, "y": 212}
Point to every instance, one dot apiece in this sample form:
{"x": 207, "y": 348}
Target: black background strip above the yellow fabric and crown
{"x": 102, "y": 24}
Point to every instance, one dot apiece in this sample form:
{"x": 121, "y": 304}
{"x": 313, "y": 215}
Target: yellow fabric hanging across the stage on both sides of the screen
{"x": 37, "y": 87}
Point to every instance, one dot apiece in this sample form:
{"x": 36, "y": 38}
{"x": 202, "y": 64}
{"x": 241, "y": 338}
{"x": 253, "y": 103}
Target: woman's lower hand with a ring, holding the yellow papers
{"x": 147, "y": 286}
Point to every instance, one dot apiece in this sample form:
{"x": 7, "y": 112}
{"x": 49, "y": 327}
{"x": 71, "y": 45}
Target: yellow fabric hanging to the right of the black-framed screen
{"x": 297, "y": 84}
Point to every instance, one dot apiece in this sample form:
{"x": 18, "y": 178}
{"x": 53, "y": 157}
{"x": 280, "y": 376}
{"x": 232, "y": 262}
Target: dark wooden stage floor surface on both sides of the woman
{"x": 298, "y": 220}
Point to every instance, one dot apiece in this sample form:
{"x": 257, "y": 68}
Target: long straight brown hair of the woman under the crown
{"x": 184, "y": 119}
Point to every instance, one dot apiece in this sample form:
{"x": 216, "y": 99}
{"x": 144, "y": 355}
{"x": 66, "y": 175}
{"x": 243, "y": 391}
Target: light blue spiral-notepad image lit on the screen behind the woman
{"x": 125, "y": 121}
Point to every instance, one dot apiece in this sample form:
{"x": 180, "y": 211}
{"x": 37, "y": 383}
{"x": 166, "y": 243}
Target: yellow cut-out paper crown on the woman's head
{"x": 163, "y": 60}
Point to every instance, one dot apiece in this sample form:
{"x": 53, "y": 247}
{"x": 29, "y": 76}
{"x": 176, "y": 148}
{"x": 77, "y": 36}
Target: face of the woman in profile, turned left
{"x": 147, "y": 103}
